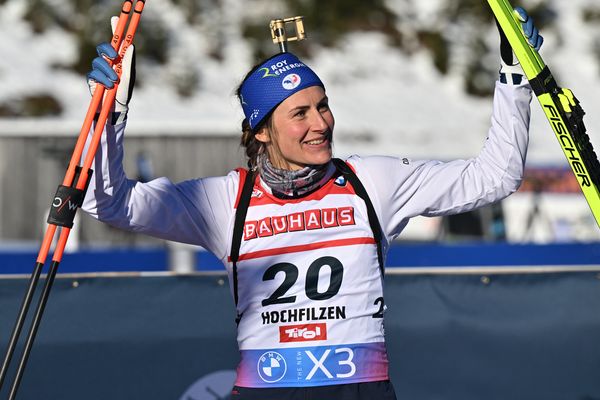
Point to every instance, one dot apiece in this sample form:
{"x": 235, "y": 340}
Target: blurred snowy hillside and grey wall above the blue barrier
{"x": 406, "y": 78}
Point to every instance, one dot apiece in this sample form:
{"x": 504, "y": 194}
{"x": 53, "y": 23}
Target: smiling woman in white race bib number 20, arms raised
{"x": 303, "y": 236}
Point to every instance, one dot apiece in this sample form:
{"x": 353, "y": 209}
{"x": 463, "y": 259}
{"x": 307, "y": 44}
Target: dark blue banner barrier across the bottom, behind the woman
{"x": 449, "y": 336}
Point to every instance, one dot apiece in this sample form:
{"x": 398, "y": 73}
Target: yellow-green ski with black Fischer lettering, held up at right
{"x": 560, "y": 106}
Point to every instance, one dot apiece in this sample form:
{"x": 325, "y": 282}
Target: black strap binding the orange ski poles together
{"x": 66, "y": 202}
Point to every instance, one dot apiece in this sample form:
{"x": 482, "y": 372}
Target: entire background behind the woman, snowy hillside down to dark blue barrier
{"x": 500, "y": 303}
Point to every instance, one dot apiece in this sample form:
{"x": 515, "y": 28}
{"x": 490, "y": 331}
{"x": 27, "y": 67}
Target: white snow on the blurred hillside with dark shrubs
{"x": 384, "y": 101}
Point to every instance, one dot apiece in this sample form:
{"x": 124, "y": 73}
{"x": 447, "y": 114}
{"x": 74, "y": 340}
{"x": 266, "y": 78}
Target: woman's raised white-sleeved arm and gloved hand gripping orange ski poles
{"x": 194, "y": 211}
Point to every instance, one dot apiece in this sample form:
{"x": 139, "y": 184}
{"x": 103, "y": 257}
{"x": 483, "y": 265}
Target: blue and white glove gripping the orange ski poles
{"x": 102, "y": 73}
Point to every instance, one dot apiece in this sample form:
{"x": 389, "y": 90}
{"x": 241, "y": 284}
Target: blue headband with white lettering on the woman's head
{"x": 271, "y": 83}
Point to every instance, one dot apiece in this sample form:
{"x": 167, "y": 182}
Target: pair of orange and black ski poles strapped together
{"x": 64, "y": 197}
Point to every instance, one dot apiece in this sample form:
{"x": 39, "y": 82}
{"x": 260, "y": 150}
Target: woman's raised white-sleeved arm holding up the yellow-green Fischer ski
{"x": 404, "y": 188}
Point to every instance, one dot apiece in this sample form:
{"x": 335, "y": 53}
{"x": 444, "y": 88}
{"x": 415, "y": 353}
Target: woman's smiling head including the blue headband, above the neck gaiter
{"x": 287, "y": 115}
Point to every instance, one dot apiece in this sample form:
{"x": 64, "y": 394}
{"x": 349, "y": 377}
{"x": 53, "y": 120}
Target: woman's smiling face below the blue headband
{"x": 302, "y": 130}
